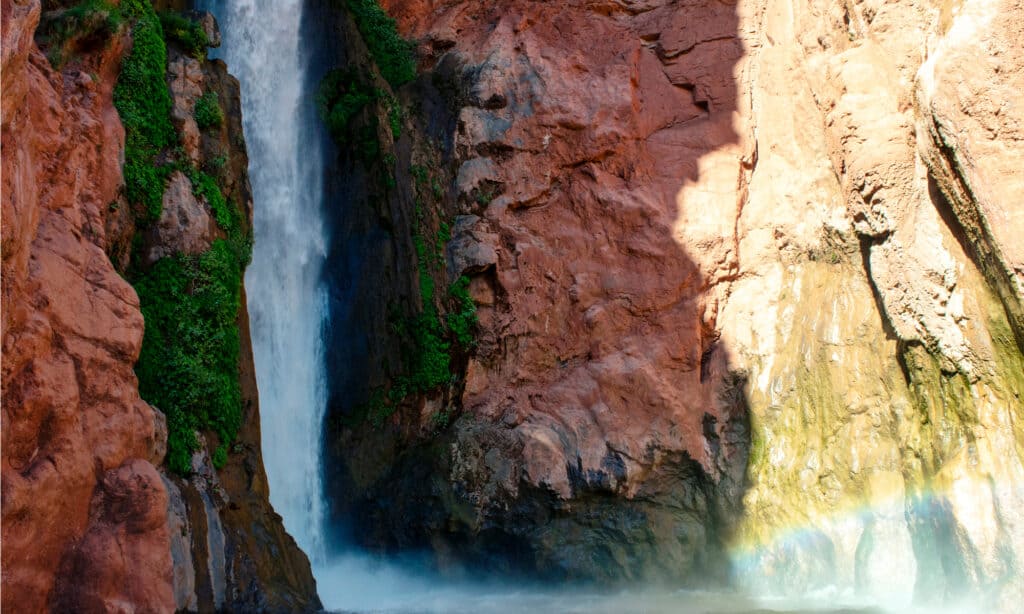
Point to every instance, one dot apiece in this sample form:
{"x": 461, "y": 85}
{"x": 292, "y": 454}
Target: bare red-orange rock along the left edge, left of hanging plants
{"x": 78, "y": 442}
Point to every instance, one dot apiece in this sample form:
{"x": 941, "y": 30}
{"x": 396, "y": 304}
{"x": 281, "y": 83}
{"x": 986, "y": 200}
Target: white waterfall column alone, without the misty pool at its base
{"x": 265, "y": 49}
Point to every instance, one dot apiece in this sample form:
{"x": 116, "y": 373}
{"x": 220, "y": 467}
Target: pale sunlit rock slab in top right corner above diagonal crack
{"x": 971, "y": 123}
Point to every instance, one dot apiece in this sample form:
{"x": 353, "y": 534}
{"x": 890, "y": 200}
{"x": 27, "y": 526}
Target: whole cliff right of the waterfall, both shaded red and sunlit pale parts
{"x": 749, "y": 295}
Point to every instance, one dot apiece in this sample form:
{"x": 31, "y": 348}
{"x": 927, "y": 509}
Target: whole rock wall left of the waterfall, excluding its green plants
{"x": 91, "y": 521}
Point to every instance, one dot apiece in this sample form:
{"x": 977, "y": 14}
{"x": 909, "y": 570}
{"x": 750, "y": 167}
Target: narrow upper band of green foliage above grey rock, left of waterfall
{"x": 145, "y": 105}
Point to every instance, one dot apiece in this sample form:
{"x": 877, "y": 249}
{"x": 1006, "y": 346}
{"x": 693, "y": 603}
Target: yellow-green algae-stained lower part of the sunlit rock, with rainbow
{"x": 870, "y": 466}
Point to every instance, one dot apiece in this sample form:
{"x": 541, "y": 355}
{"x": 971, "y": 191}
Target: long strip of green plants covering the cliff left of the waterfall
{"x": 189, "y": 365}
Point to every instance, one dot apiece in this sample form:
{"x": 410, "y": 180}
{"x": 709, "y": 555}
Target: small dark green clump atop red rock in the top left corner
{"x": 89, "y": 23}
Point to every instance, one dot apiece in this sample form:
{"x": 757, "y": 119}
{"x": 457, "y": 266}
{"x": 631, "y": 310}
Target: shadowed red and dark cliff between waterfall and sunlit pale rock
{"x": 600, "y": 431}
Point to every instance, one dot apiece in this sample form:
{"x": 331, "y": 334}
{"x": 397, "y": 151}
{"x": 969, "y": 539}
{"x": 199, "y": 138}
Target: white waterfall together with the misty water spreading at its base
{"x": 265, "y": 47}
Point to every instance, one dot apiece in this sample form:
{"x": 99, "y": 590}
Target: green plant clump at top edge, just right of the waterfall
{"x": 392, "y": 54}
